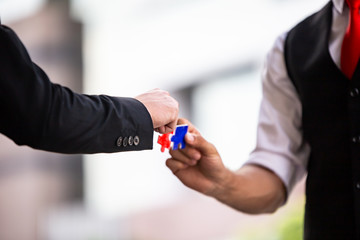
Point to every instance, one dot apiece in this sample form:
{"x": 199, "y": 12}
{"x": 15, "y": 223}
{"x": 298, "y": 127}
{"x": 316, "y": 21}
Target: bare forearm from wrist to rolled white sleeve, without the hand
{"x": 252, "y": 189}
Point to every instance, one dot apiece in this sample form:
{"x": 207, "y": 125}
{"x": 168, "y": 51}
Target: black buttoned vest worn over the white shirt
{"x": 331, "y": 125}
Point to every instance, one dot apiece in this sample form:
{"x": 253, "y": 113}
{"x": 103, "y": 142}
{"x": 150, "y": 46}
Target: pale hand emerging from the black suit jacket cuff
{"x": 163, "y": 109}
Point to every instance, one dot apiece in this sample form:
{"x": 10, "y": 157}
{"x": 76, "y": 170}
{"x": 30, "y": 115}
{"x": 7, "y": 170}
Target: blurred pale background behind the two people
{"x": 207, "y": 53}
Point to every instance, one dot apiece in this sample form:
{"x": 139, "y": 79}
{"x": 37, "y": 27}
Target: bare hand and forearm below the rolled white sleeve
{"x": 251, "y": 189}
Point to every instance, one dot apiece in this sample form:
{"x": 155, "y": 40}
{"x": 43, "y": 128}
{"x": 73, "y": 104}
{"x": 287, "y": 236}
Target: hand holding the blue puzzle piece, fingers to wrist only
{"x": 199, "y": 165}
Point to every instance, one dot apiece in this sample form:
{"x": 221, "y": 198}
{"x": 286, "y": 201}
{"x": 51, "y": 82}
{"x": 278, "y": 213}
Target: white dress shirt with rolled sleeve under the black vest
{"x": 280, "y": 146}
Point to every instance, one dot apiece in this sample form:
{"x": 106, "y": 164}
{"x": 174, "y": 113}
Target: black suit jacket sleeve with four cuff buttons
{"x": 47, "y": 116}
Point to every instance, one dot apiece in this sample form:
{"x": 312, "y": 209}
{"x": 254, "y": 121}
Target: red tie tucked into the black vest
{"x": 350, "y": 52}
